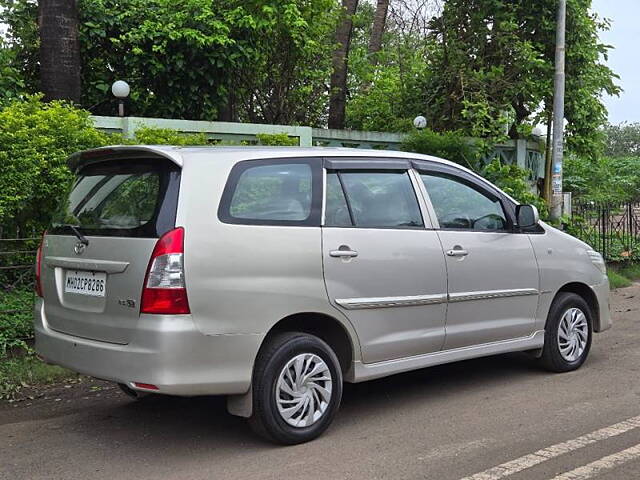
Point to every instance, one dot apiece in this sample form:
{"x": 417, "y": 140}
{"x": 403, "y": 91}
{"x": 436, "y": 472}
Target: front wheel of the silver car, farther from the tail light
{"x": 568, "y": 333}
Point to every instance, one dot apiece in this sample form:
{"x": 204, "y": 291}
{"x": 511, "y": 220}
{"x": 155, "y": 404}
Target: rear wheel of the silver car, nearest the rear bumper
{"x": 290, "y": 403}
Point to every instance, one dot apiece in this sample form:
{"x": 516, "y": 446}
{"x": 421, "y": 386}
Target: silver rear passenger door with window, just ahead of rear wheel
{"x": 383, "y": 269}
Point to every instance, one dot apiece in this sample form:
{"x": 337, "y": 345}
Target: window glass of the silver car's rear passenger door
{"x": 376, "y": 199}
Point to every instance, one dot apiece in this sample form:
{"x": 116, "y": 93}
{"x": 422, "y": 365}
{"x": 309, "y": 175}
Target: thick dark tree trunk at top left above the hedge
{"x": 59, "y": 50}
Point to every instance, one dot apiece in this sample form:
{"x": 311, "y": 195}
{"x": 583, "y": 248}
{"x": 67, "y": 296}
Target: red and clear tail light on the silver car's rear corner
{"x": 164, "y": 288}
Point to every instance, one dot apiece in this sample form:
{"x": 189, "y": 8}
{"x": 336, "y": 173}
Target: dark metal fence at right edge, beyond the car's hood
{"x": 611, "y": 229}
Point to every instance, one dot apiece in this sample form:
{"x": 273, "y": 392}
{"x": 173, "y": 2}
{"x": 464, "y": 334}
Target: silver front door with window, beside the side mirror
{"x": 491, "y": 268}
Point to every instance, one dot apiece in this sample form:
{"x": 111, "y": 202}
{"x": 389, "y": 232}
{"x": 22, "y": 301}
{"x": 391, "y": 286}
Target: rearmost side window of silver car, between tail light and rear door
{"x": 262, "y": 192}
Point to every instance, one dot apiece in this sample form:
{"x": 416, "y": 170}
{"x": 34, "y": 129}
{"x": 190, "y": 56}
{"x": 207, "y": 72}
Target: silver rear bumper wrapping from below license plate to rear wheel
{"x": 166, "y": 351}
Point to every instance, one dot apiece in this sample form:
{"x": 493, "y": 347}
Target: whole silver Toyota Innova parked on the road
{"x": 273, "y": 275}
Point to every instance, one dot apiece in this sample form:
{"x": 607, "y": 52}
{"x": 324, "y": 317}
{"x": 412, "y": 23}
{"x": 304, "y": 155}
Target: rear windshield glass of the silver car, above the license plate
{"x": 128, "y": 198}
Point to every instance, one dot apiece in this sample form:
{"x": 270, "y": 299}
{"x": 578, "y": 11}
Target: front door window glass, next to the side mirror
{"x": 460, "y": 206}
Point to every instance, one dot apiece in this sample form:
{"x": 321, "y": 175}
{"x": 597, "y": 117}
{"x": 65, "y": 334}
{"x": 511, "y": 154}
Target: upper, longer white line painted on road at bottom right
{"x": 532, "y": 459}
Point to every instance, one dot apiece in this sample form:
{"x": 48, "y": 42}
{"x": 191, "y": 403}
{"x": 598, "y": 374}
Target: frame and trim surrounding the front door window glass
{"x": 431, "y": 168}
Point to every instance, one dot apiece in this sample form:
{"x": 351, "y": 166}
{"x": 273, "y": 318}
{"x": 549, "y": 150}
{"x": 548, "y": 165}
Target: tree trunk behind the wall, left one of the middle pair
{"x": 338, "y": 93}
